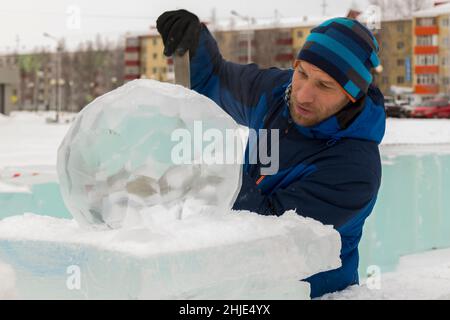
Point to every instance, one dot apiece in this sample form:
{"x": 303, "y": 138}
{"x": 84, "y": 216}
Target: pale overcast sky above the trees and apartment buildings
{"x": 24, "y": 21}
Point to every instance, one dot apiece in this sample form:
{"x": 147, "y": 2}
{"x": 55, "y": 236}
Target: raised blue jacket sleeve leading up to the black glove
{"x": 238, "y": 89}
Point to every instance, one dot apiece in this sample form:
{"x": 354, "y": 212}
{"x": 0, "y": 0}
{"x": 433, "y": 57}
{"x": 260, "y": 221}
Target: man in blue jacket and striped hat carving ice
{"x": 331, "y": 120}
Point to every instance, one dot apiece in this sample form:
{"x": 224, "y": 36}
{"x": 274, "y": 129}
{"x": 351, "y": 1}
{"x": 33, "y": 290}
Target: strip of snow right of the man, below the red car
{"x": 417, "y": 131}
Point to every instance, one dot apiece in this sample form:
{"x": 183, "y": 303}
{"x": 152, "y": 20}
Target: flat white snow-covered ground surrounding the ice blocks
{"x": 29, "y": 144}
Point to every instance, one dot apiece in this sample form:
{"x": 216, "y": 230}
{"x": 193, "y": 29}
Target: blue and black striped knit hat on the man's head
{"x": 346, "y": 50}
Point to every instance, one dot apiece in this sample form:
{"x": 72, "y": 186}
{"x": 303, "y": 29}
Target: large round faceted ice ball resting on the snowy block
{"x": 149, "y": 145}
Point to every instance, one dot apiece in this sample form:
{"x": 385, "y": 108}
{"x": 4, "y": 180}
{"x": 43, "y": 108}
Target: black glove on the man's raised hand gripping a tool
{"x": 180, "y": 31}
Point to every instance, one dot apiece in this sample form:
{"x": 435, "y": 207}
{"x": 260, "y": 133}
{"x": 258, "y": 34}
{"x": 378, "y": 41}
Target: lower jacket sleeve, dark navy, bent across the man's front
{"x": 333, "y": 195}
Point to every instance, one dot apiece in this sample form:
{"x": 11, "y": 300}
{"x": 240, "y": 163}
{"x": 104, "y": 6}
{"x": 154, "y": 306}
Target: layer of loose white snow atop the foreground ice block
{"x": 195, "y": 232}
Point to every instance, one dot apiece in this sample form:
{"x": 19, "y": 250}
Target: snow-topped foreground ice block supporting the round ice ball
{"x": 236, "y": 255}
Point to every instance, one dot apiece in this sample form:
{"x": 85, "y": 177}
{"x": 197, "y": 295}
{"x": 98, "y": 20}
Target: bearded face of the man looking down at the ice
{"x": 315, "y": 95}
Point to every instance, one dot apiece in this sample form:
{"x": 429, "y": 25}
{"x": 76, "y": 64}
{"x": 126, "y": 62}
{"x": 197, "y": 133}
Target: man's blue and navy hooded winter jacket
{"x": 330, "y": 172}
